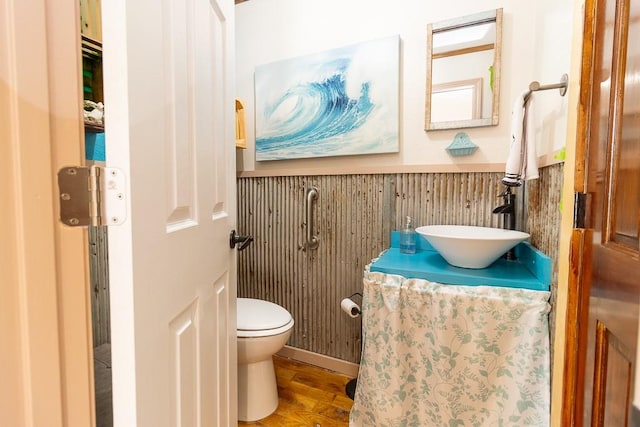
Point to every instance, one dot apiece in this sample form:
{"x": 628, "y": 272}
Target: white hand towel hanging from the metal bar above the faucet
{"x": 522, "y": 162}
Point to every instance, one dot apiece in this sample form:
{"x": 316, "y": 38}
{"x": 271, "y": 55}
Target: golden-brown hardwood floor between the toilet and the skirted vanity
{"x": 309, "y": 396}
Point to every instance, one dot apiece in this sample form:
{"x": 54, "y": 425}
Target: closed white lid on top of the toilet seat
{"x": 260, "y": 315}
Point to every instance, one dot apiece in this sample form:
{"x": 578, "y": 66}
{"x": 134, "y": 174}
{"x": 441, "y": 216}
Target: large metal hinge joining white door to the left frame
{"x": 92, "y": 195}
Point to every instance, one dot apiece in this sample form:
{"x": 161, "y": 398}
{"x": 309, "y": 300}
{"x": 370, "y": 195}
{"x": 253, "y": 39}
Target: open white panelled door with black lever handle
{"x": 169, "y": 113}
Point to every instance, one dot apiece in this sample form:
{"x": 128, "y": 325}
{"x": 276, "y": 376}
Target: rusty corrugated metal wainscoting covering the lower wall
{"x": 354, "y": 215}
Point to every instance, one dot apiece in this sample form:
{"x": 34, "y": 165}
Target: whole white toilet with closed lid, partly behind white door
{"x": 263, "y": 329}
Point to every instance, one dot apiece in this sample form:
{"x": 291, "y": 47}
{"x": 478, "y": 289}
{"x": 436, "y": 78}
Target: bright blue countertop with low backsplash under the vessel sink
{"x": 531, "y": 269}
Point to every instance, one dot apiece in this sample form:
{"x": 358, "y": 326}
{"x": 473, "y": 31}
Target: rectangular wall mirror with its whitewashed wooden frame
{"x": 463, "y": 71}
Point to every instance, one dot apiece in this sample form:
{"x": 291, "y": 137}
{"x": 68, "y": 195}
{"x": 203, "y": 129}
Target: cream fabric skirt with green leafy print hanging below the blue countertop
{"x": 448, "y": 355}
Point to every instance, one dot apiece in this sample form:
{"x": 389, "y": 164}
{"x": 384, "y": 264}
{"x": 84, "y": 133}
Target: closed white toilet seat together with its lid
{"x": 259, "y": 318}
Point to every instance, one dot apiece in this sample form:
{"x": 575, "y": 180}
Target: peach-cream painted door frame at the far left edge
{"x": 46, "y": 311}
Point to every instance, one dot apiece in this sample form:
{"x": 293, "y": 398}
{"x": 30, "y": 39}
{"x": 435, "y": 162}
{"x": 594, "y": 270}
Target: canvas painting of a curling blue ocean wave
{"x": 335, "y": 103}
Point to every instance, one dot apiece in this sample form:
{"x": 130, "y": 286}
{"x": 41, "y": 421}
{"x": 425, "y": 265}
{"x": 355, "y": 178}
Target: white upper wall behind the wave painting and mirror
{"x": 536, "y": 46}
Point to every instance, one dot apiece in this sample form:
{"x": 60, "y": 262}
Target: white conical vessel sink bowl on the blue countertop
{"x": 469, "y": 246}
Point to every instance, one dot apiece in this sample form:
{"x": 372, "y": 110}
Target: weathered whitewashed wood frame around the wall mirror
{"x": 456, "y": 23}
